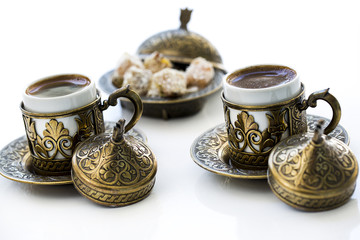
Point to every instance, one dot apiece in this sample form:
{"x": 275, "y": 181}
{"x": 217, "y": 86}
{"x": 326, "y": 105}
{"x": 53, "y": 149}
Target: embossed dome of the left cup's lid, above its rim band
{"x": 123, "y": 172}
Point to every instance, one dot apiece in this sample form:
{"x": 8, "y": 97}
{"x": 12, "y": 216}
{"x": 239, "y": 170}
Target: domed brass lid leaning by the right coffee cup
{"x": 312, "y": 172}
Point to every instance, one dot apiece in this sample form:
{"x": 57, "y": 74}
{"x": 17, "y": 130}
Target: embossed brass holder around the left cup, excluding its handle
{"x": 52, "y": 148}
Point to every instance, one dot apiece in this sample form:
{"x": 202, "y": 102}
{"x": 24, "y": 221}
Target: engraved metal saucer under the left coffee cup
{"x": 15, "y": 161}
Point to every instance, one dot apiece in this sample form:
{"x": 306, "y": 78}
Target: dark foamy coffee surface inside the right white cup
{"x": 262, "y": 76}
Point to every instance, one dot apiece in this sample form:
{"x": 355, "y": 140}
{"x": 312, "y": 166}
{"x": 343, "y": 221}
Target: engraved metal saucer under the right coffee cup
{"x": 210, "y": 150}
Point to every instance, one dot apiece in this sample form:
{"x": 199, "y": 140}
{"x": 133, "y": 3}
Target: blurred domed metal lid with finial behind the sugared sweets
{"x": 181, "y": 45}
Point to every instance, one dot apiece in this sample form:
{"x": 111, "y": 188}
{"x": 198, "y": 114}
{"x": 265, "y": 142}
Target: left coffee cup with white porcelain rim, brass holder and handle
{"x": 61, "y": 111}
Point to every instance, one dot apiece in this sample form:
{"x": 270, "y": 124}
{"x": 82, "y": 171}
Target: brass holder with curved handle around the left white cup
{"x": 53, "y": 137}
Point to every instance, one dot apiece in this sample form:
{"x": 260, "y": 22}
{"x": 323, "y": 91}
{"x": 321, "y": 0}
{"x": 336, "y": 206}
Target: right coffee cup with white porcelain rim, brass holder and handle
{"x": 263, "y": 105}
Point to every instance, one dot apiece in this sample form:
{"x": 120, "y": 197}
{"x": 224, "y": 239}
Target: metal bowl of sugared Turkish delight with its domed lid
{"x": 173, "y": 72}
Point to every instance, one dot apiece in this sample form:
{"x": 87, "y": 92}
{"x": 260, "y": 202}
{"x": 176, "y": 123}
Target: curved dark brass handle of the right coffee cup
{"x": 331, "y": 100}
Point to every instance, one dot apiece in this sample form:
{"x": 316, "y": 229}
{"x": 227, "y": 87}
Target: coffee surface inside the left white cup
{"x": 58, "y": 86}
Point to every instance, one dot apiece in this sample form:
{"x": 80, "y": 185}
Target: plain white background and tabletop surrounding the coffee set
{"x": 320, "y": 39}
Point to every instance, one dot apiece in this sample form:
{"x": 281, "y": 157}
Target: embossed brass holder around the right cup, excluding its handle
{"x": 249, "y": 146}
